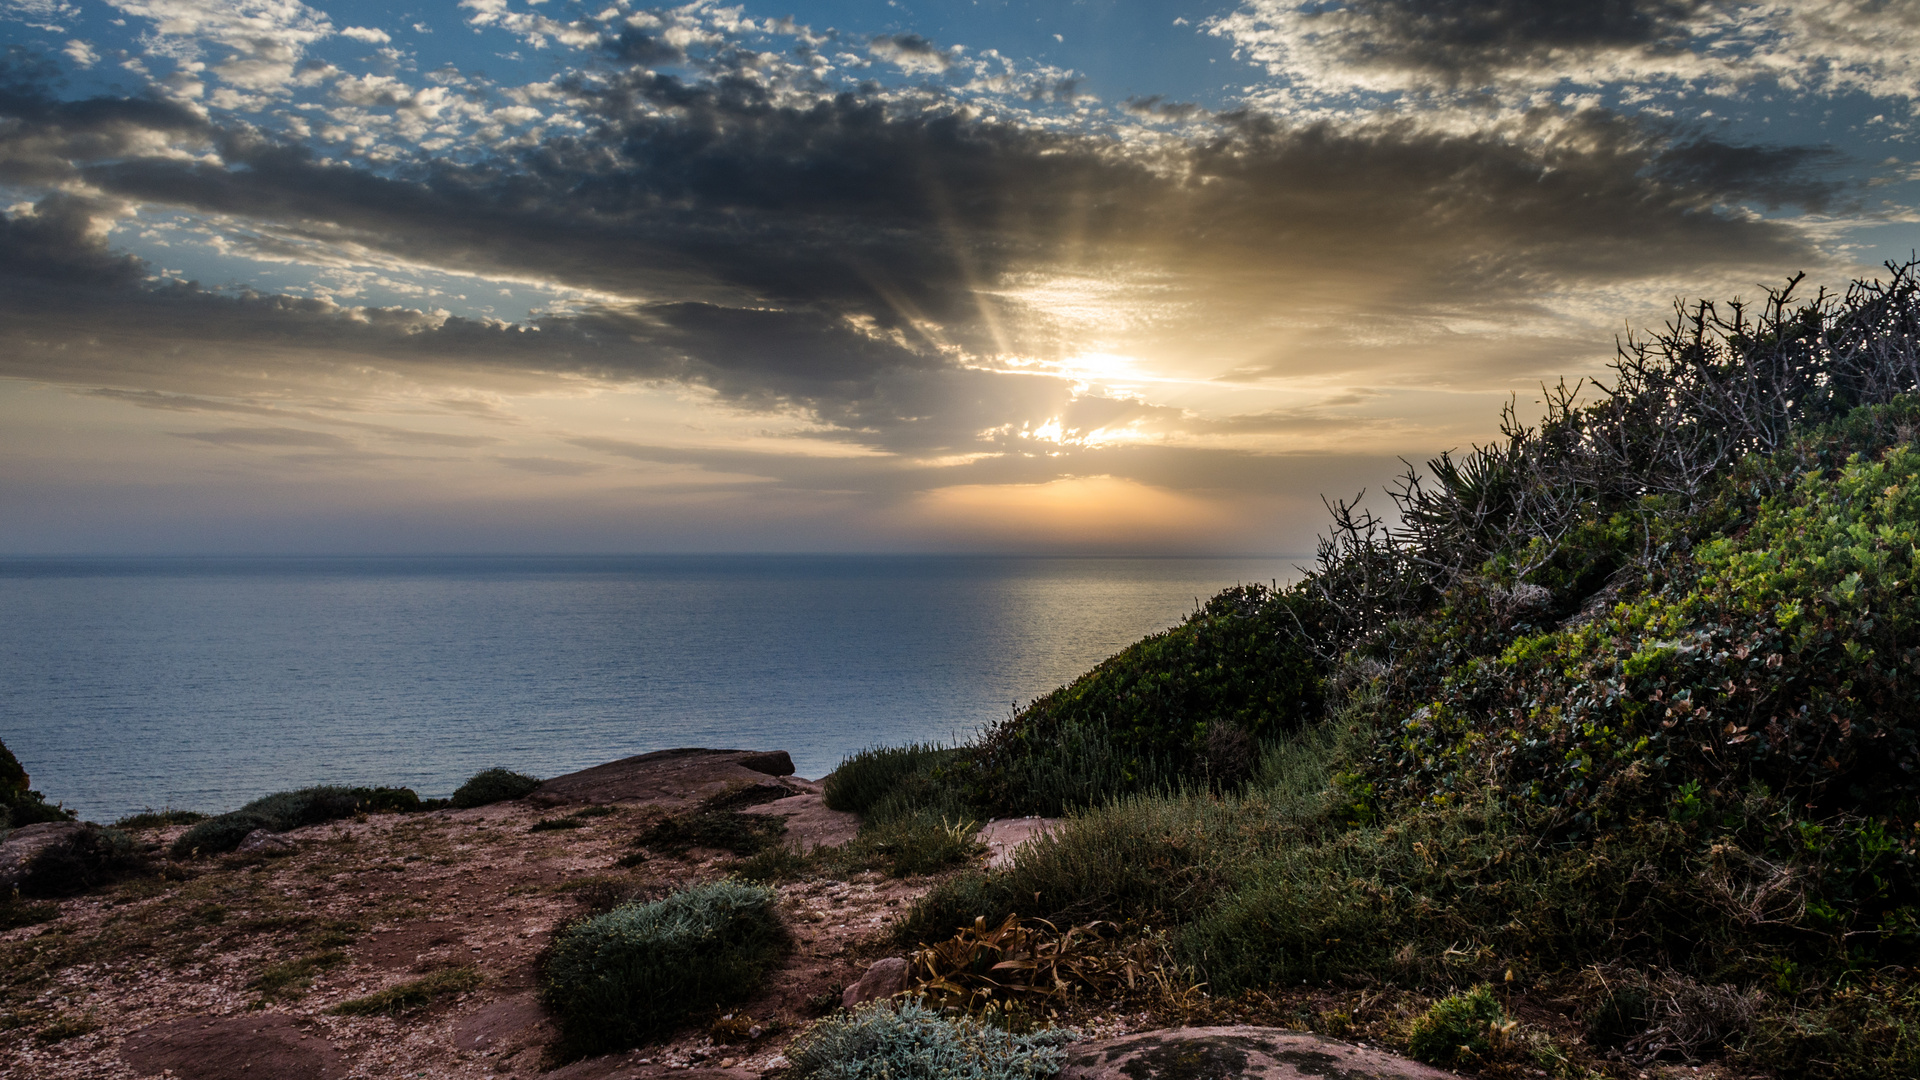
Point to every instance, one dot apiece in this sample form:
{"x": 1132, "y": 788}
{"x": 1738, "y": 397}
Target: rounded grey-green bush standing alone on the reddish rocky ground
{"x": 638, "y": 971}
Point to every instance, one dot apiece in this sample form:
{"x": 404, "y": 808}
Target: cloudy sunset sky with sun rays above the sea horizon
{"x": 873, "y": 276}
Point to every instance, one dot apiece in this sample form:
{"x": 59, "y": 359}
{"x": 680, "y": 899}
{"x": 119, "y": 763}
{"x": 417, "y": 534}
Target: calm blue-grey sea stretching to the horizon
{"x": 204, "y": 683}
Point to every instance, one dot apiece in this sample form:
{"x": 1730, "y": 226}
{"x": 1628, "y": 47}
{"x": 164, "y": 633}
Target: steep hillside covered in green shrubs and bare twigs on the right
{"x": 1620, "y": 712}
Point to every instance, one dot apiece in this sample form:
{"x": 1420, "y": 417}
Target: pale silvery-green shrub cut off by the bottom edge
{"x": 917, "y": 1044}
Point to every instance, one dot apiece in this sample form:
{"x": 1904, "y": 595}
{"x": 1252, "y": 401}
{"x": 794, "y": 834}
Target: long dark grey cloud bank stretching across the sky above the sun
{"x": 834, "y": 257}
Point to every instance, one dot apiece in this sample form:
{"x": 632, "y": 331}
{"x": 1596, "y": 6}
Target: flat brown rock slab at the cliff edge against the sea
{"x": 673, "y": 779}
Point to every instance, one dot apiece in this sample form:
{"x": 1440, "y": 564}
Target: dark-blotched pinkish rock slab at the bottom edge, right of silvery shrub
{"x": 1236, "y": 1054}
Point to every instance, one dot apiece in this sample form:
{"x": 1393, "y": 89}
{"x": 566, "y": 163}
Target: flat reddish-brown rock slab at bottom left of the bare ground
{"x": 233, "y": 1048}
